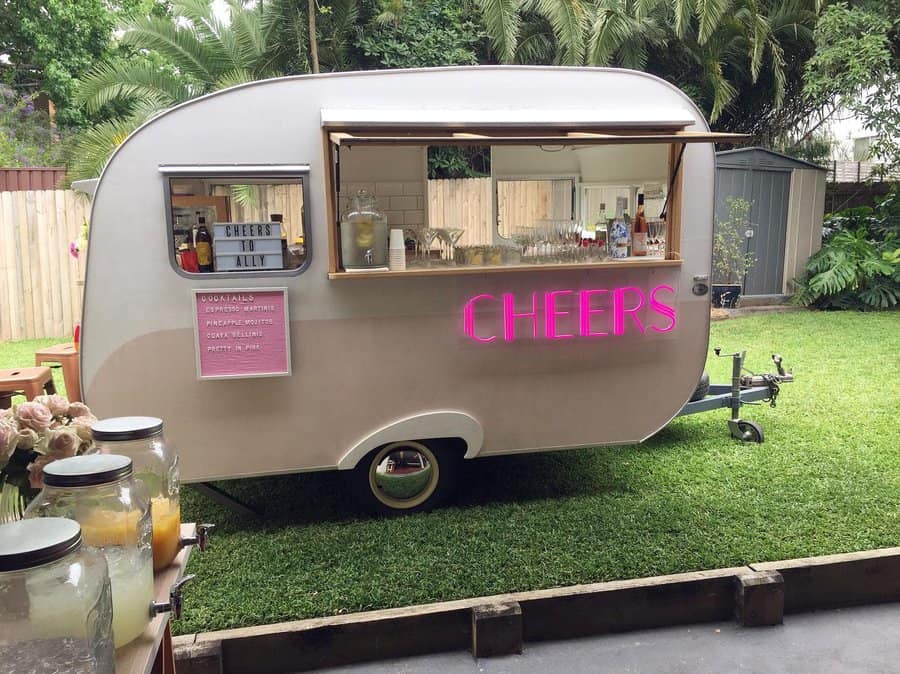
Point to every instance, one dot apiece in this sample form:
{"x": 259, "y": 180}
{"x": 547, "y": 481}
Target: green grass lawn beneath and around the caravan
{"x": 826, "y": 480}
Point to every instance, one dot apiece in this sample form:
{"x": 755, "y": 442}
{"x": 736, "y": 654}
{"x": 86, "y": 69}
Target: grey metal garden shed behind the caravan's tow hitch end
{"x": 787, "y": 204}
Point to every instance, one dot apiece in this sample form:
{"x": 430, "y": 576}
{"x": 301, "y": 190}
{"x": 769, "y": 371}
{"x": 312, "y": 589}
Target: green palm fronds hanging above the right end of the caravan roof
{"x": 722, "y": 42}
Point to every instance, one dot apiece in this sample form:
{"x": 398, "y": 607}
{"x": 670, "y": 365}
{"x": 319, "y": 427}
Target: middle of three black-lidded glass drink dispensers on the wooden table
{"x": 100, "y": 493}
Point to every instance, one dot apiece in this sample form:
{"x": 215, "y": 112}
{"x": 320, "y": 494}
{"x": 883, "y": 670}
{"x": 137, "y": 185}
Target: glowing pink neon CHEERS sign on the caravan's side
{"x": 567, "y": 314}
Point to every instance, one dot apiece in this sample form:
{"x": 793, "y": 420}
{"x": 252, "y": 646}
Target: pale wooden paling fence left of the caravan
{"x": 41, "y": 283}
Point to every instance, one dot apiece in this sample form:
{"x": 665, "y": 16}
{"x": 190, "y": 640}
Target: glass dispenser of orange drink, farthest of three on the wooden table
{"x": 156, "y": 465}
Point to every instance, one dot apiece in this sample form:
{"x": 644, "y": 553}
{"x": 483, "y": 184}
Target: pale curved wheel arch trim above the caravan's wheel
{"x": 423, "y": 426}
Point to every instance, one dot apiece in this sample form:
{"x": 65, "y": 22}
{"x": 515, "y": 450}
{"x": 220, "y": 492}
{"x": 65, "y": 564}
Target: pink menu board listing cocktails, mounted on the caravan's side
{"x": 242, "y": 333}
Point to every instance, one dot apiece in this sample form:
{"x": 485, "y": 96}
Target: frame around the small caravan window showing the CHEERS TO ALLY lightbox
{"x": 235, "y": 173}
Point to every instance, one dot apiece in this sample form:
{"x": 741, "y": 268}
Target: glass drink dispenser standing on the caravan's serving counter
{"x": 364, "y": 234}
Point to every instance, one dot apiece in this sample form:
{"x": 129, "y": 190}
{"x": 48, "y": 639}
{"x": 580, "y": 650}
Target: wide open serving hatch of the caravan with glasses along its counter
{"x": 559, "y": 197}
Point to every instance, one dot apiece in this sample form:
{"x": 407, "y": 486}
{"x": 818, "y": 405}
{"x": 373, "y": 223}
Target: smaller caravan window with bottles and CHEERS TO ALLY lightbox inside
{"x": 237, "y": 220}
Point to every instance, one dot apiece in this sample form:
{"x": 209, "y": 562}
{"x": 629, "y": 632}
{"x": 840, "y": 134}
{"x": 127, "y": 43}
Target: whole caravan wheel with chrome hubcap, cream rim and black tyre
{"x": 406, "y": 477}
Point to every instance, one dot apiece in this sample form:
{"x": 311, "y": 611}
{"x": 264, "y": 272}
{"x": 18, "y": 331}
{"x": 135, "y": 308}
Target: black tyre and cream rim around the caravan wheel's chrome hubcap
{"x": 433, "y": 485}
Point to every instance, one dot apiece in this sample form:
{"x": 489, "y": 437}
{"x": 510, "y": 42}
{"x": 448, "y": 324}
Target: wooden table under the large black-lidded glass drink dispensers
{"x": 151, "y": 653}
